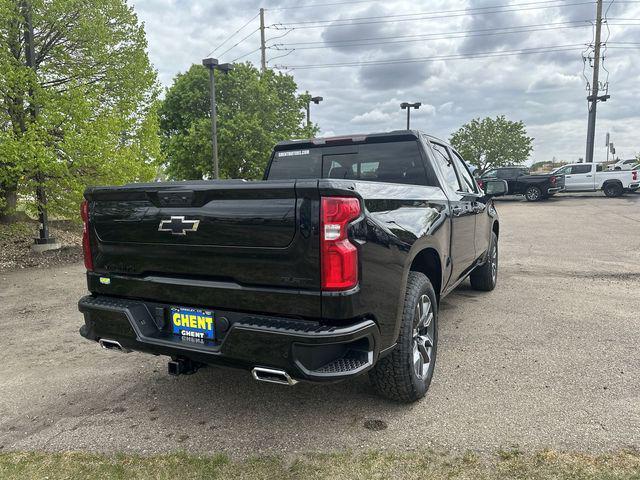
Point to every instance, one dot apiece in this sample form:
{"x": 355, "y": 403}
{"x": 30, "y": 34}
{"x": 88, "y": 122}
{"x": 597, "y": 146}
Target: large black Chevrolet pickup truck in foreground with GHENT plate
{"x": 332, "y": 266}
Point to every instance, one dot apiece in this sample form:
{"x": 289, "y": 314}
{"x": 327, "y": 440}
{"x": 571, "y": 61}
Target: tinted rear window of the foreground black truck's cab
{"x": 393, "y": 162}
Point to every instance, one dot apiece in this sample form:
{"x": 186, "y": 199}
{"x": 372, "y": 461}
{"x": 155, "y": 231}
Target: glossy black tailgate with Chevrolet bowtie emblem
{"x": 249, "y": 242}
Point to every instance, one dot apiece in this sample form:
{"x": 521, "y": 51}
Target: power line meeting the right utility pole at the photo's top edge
{"x": 338, "y": 22}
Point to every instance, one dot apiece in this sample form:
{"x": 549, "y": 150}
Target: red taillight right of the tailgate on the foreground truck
{"x": 339, "y": 257}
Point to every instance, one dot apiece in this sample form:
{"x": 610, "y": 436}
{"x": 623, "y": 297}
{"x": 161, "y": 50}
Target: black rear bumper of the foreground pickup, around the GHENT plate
{"x": 305, "y": 350}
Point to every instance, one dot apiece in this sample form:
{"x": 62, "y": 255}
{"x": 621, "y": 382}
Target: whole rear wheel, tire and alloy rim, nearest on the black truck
{"x": 405, "y": 374}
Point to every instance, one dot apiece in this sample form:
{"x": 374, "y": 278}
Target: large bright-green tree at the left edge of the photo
{"x": 94, "y": 92}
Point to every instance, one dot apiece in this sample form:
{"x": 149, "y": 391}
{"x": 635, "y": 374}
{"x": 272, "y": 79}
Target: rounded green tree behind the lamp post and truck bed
{"x": 254, "y": 111}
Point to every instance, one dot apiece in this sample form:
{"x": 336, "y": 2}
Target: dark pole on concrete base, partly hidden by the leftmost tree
{"x": 44, "y": 241}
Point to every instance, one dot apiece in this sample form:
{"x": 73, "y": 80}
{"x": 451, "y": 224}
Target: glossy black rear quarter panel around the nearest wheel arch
{"x": 398, "y": 222}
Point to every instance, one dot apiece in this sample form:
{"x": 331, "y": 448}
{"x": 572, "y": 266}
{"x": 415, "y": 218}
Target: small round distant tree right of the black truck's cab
{"x": 490, "y": 142}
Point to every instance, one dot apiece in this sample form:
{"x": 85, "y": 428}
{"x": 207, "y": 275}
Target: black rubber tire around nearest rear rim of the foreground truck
{"x": 395, "y": 376}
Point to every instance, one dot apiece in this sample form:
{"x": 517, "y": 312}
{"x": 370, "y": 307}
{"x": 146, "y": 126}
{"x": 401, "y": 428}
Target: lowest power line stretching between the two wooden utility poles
{"x": 503, "y": 53}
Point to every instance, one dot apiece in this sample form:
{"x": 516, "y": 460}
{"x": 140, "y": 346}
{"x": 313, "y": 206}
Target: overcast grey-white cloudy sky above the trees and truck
{"x": 546, "y": 90}
